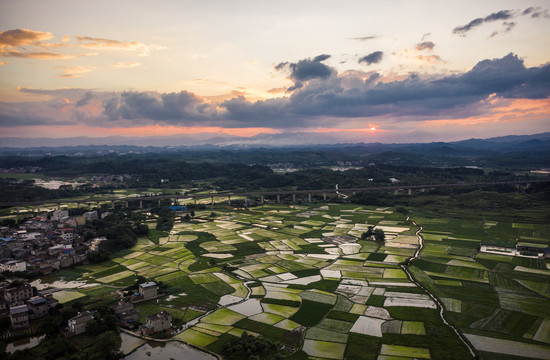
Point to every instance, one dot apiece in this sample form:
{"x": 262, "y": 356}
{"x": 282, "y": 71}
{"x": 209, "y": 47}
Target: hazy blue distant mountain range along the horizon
{"x": 263, "y": 140}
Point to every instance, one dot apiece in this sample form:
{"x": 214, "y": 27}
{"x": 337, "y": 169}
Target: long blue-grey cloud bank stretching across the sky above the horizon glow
{"x": 346, "y": 99}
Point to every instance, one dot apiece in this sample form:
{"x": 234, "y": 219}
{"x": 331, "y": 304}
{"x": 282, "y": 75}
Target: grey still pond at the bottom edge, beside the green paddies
{"x": 160, "y": 350}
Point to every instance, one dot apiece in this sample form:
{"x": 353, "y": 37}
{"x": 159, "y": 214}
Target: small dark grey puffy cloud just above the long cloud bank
{"x": 306, "y": 69}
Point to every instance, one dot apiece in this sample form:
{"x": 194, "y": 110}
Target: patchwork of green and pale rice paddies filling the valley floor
{"x": 300, "y": 276}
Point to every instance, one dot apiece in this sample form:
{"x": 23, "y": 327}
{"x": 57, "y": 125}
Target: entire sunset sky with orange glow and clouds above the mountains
{"x": 392, "y": 71}
